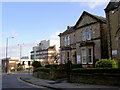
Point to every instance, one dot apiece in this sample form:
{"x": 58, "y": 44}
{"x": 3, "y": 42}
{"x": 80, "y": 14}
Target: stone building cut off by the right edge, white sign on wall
{"x": 113, "y": 28}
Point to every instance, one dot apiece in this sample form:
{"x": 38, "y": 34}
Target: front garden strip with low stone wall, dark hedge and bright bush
{"x": 106, "y": 72}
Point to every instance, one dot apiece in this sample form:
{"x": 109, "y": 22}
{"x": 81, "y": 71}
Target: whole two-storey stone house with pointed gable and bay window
{"x": 86, "y": 42}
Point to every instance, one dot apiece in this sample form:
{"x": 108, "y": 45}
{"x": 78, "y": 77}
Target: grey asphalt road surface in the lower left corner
{"x": 12, "y": 81}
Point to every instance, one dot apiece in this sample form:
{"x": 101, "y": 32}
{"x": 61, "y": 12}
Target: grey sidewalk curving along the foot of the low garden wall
{"x": 62, "y": 84}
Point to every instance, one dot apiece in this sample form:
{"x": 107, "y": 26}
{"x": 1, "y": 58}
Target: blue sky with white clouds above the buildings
{"x": 30, "y": 22}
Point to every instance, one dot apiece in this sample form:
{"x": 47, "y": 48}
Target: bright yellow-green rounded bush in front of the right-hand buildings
{"x": 106, "y": 63}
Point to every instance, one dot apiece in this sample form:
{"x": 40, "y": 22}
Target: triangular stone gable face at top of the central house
{"x": 84, "y": 20}
